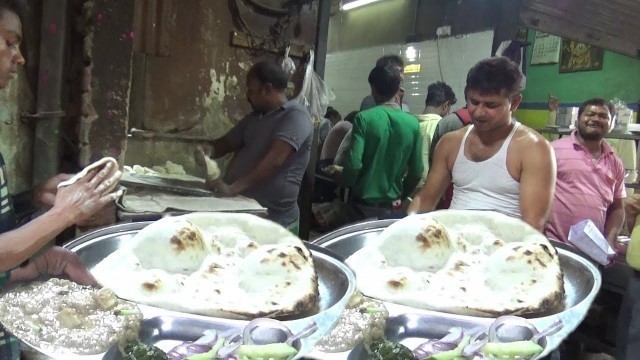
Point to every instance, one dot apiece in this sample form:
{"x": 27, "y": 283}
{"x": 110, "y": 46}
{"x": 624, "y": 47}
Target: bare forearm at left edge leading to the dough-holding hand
{"x": 18, "y": 245}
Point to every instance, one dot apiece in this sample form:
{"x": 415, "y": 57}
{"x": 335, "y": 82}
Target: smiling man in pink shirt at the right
{"x": 590, "y": 179}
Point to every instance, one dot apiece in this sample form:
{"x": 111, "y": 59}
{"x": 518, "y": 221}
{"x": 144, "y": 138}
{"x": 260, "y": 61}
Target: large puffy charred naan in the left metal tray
{"x": 216, "y": 264}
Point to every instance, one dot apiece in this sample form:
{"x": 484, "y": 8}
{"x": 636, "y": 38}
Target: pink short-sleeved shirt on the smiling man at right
{"x": 585, "y": 188}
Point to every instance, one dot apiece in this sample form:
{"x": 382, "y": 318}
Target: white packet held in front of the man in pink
{"x": 588, "y": 239}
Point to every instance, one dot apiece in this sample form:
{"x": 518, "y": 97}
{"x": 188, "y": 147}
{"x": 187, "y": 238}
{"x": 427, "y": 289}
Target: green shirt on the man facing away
{"x": 384, "y": 162}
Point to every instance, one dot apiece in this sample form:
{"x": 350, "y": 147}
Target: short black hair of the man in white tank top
{"x": 494, "y": 75}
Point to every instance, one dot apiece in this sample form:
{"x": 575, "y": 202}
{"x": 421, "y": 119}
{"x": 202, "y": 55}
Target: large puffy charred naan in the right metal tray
{"x": 460, "y": 261}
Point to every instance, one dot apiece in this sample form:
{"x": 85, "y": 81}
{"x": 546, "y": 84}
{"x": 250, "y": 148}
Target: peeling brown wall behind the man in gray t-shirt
{"x": 199, "y": 89}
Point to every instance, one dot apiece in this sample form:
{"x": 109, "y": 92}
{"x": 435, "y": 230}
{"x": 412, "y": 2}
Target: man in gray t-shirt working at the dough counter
{"x": 272, "y": 147}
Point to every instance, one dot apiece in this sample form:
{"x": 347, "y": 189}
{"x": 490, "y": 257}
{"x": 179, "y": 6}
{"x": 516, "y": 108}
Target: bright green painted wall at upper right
{"x": 619, "y": 77}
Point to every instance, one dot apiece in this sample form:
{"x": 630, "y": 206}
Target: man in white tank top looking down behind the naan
{"x": 495, "y": 163}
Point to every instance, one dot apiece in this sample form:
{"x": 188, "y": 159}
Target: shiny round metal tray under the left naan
{"x": 336, "y": 283}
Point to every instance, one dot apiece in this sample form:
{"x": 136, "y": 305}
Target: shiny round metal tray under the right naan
{"x": 582, "y": 282}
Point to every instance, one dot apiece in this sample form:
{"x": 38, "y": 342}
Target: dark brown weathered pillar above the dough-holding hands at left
{"x": 107, "y": 80}
